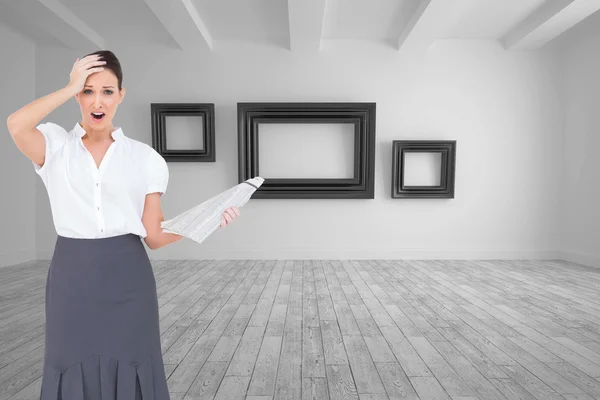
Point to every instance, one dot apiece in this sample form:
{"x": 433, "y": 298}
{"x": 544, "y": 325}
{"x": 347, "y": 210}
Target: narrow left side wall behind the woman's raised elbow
{"x": 17, "y": 202}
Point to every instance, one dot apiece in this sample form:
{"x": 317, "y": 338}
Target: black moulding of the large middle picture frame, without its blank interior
{"x": 361, "y": 115}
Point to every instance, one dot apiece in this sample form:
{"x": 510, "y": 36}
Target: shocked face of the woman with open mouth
{"x": 99, "y": 100}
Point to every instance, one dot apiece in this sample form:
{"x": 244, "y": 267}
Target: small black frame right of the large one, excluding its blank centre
{"x": 445, "y": 190}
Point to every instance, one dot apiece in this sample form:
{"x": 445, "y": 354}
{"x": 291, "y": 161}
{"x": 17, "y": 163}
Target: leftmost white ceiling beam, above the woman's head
{"x": 56, "y": 20}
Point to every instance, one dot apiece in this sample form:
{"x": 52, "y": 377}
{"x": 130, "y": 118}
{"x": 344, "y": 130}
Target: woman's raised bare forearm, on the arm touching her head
{"x": 28, "y": 117}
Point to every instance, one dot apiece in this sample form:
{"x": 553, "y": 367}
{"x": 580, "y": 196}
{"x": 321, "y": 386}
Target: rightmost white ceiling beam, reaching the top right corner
{"x": 551, "y": 19}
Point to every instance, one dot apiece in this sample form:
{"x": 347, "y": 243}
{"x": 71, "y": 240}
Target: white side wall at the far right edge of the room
{"x": 580, "y": 183}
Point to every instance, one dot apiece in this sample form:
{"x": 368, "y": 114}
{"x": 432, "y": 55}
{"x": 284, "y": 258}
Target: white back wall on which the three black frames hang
{"x": 501, "y": 107}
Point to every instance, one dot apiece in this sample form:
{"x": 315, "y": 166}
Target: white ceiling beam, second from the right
{"x": 428, "y": 23}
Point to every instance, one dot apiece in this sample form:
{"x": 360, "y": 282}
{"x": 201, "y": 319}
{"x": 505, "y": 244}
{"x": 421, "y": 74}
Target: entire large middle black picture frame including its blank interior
{"x": 311, "y": 150}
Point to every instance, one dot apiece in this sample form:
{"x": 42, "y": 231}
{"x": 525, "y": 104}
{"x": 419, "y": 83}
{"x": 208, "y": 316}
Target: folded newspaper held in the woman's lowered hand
{"x": 202, "y": 220}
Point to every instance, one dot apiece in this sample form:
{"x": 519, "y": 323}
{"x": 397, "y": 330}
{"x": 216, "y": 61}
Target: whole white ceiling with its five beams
{"x": 295, "y": 25}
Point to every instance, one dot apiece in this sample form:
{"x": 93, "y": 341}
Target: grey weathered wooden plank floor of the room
{"x": 348, "y": 329}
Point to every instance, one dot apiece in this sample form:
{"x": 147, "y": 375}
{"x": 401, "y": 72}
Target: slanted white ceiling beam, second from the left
{"x": 183, "y": 22}
